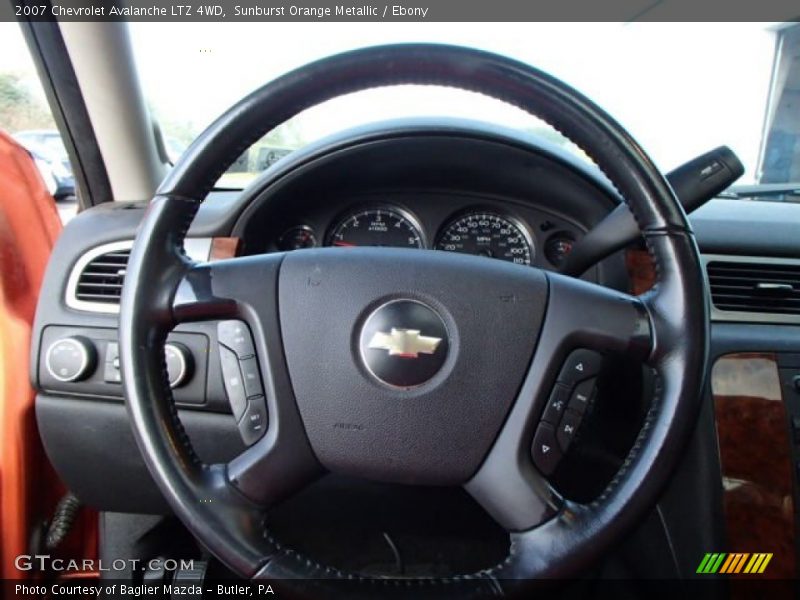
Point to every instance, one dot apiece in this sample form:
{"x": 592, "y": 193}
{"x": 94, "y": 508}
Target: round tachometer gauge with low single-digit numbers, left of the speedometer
{"x": 377, "y": 227}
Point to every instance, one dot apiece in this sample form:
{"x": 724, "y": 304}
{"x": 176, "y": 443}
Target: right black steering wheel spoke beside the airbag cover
{"x": 512, "y": 484}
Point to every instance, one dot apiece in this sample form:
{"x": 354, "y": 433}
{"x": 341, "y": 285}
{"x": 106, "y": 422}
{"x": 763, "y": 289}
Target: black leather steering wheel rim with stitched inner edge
{"x": 675, "y": 312}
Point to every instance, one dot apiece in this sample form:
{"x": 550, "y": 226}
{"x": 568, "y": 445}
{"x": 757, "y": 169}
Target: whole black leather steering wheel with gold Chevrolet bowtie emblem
{"x": 409, "y": 366}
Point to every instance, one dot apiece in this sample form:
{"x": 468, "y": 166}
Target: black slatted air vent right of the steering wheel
{"x": 770, "y": 288}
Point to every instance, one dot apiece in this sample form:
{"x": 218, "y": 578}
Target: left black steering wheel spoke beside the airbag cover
{"x": 244, "y": 289}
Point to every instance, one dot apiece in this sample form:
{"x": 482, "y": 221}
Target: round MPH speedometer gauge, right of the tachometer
{"x": 488, "y": 234}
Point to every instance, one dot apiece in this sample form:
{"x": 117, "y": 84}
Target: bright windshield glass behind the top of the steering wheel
{"x": 680, "y": 89}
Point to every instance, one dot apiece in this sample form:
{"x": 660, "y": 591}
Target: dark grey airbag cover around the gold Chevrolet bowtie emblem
{"x": 435, "y": 432}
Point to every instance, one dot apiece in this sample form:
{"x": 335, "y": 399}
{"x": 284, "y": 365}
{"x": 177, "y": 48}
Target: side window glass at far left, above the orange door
{"x": 26, "y": 116}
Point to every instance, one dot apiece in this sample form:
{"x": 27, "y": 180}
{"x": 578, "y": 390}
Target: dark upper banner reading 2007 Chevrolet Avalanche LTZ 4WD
{"x": 401, "y": 10}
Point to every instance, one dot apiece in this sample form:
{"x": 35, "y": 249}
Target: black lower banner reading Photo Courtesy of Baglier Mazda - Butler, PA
{"x": 619, "y": 589}
